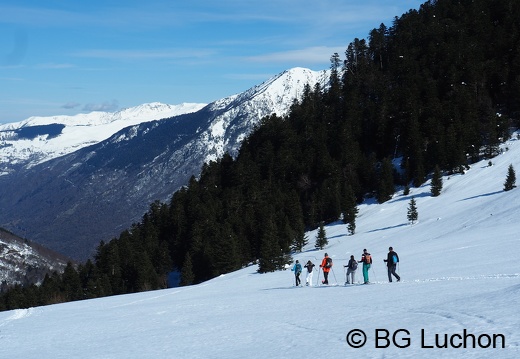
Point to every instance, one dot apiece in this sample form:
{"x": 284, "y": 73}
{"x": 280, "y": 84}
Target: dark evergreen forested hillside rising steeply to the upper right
{"x": 439, "y": 87}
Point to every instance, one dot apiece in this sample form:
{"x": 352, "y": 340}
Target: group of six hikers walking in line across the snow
{"x": 326, "y": 266}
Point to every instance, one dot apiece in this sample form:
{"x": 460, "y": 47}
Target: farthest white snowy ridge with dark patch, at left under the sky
{"x": 39, "y": 139}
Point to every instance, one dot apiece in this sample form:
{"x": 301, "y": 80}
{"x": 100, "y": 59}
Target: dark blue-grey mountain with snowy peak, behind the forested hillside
{"x": 72, "y": 202}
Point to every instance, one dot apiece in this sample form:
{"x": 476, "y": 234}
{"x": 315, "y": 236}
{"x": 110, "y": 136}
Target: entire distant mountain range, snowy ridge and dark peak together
{"x": 71, "y": 181}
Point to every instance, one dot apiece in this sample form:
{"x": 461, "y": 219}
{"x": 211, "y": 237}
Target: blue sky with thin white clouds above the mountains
{"x": 68, "y": 57}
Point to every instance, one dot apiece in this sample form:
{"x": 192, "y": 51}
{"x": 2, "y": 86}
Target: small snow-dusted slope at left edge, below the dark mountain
{"x": 23, "y": 262}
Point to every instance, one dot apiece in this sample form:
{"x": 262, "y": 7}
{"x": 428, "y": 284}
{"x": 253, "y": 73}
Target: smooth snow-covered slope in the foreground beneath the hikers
{"x": 460, "y": 270}
